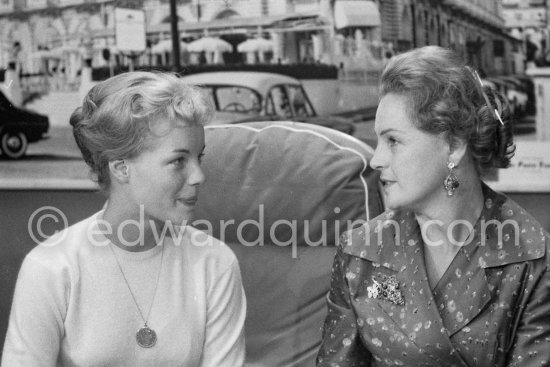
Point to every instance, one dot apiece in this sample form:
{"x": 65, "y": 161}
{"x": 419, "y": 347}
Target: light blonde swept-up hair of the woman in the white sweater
{"x": 119, "y": 114}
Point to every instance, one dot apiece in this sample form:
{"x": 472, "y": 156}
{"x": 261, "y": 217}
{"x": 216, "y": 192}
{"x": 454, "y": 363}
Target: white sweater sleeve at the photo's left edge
{"x": 36, "y": 319}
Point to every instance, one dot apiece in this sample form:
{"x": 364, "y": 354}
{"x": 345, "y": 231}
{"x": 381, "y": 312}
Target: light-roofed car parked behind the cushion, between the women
{"x": 245, "y": 96}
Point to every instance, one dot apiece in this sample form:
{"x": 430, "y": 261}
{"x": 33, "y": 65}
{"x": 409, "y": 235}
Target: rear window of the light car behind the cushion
{"x": 235, "y": 98}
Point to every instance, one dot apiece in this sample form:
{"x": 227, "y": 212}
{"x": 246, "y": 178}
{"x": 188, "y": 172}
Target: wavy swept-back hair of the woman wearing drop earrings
{"x": 445, "y": 97}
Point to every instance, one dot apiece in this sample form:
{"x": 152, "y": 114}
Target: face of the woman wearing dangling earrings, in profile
{"x": 413, "y": 163}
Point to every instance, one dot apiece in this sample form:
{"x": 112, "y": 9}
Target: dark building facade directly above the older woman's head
{"x": 475, "y": 28}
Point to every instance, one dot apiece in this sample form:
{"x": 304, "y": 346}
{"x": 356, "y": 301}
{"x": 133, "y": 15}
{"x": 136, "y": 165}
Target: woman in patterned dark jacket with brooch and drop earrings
{"x": 453, "y": 273}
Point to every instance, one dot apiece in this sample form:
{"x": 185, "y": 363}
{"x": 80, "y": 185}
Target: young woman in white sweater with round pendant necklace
{"x": 133, "y": 285}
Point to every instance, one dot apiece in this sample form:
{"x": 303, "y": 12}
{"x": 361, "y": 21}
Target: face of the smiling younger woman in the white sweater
{"x": 165, "y": 177}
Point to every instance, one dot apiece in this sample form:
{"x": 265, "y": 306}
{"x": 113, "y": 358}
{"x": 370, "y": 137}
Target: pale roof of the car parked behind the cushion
{"x": 259, "y": 81}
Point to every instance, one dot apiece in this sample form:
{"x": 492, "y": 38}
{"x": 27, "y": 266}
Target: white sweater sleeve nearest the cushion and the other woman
{"x": 224, "y": 340}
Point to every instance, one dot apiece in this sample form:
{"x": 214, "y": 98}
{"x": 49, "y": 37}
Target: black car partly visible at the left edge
{"x": 18, "y": 128}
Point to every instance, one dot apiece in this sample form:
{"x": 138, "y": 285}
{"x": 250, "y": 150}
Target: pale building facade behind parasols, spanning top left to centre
{"x": 51, "y": 31}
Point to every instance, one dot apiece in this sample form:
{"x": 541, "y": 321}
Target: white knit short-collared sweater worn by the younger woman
{"x": 72, "y": 306}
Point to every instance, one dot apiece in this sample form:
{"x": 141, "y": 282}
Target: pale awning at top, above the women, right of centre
{"x": 356, "y": 13}
